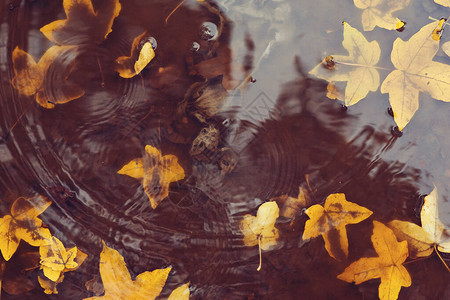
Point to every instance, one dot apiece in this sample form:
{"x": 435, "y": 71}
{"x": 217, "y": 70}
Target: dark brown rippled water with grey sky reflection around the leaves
{"x": 285, "y": 132}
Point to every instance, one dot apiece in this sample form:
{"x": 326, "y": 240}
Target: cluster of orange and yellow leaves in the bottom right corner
{"x": 393, "y": 242}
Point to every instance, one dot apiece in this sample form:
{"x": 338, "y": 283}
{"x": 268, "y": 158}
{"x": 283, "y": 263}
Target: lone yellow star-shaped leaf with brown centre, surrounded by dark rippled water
{"x": 156, "y": 173}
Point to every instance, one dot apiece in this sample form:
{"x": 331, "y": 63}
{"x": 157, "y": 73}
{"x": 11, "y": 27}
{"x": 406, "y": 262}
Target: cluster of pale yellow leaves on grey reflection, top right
{"x": 414, "y": 71}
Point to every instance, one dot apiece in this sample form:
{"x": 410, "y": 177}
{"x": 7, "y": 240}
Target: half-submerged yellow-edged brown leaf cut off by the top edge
{"x": 83, "y": 24}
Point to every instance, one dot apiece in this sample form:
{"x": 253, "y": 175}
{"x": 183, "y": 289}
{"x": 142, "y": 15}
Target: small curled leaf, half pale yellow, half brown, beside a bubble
{"x": 141, "y": 54}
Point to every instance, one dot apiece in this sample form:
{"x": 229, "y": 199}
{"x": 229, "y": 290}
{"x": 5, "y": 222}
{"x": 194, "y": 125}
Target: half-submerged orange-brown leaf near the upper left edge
{"x": 46, "y": 79}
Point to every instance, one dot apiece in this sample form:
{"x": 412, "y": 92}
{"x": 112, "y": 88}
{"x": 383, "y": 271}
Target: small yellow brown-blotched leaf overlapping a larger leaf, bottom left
{"x": 56, "y": 259}
